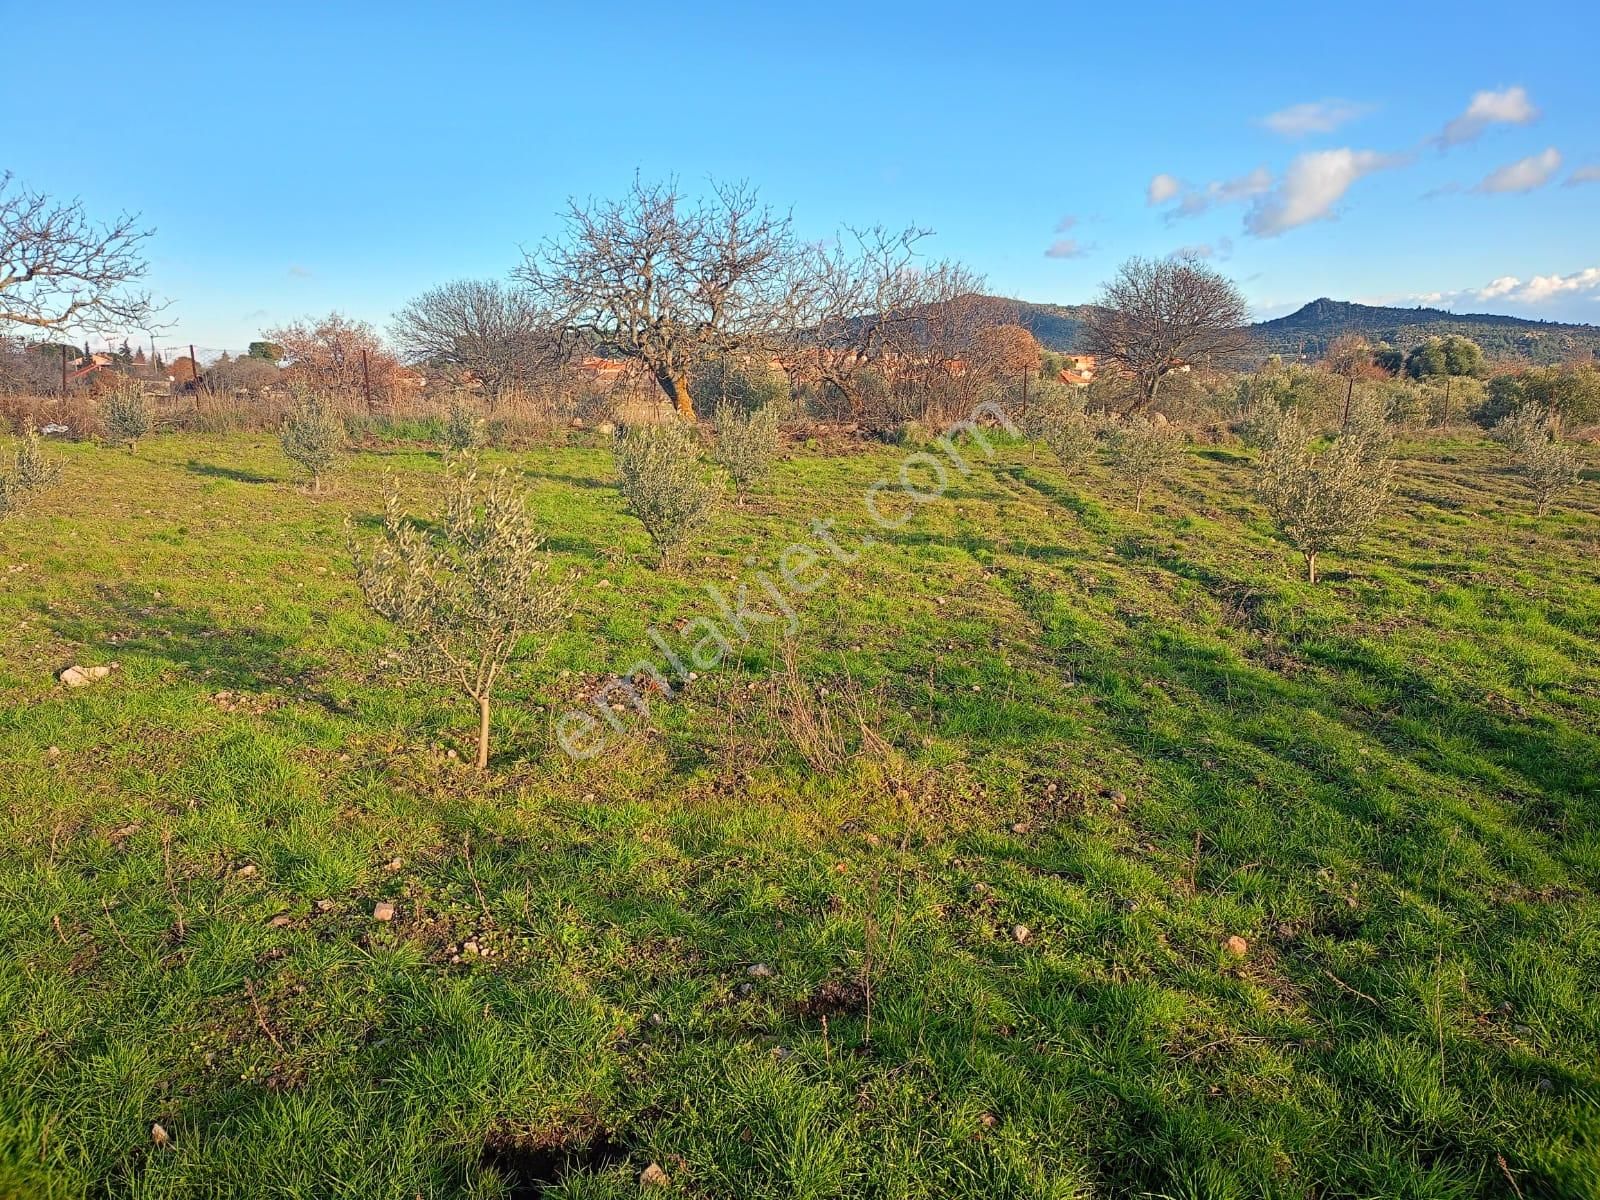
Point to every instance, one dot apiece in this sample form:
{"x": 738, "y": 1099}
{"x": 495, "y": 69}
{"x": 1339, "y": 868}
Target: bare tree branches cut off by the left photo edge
{"x": 63, "y": 271}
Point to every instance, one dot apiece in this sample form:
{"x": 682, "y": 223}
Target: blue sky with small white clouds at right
{"x": 303, "y": 158}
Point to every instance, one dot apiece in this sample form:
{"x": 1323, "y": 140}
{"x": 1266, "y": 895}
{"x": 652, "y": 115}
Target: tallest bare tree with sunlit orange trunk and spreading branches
{"x": 665, "y": 281}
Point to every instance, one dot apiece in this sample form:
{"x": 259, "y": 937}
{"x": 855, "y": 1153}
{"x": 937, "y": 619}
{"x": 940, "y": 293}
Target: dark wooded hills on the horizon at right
{"x": 1308, "y": 332}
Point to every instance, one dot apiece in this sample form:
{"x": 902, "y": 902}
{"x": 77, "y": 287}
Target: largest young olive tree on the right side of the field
{"x": 1322, "y": 502}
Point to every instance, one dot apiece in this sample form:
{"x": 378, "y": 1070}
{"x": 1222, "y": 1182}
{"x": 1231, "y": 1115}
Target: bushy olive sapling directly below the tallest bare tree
{"x": 663, "y": 482}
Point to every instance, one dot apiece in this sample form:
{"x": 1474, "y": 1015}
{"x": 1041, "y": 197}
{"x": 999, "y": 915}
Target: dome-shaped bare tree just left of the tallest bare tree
{"x": 498, "y": 334}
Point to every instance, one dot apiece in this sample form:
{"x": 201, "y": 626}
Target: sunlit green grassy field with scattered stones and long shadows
{"x": 938, "y": 908}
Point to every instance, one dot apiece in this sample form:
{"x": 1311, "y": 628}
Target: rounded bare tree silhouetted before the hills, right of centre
{"x": 1159, "y": 316}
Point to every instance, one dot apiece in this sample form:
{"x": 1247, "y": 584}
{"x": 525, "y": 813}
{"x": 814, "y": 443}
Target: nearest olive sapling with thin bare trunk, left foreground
{"x": 470, "y": 593}
